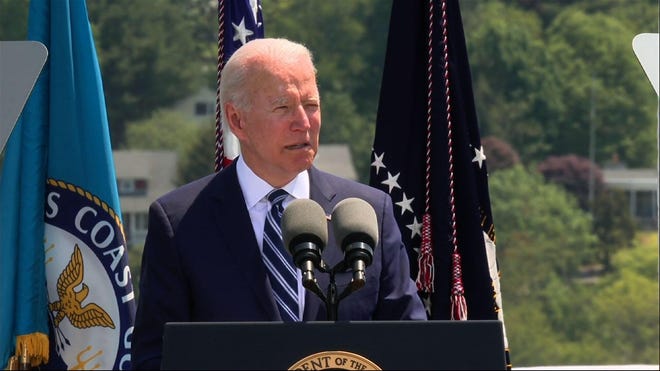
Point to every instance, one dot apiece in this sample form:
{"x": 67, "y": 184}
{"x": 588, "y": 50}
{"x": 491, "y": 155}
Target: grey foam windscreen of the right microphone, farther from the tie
{"x": 354, "y": 220}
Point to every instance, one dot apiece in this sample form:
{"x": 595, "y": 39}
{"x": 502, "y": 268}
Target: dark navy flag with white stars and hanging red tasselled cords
{"x": 427, "y": 155}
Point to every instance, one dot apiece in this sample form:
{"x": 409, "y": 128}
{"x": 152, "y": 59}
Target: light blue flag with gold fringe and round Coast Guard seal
{"x": 60, "y": 208}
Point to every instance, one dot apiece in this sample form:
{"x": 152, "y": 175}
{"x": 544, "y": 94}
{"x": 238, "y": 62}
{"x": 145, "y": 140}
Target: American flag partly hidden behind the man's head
{"x": 239, "y": 21}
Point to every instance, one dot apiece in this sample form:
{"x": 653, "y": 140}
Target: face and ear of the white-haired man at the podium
{"x": 279, "y": 131}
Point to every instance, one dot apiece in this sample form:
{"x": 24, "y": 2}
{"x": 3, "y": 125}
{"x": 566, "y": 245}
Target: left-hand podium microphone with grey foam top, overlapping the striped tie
{"x": 305, "y": 234}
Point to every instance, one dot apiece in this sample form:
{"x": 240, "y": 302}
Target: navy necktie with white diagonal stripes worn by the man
{"x": 282, "y": 272}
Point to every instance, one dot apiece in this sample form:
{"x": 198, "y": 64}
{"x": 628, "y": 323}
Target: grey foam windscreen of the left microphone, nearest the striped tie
{"x": 304, "y": 220}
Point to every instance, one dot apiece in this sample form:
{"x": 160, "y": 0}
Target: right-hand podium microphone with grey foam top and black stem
{"x": 356, "y": 229}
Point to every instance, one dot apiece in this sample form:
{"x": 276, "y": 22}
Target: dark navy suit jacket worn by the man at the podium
{"x": 201, "y": 262}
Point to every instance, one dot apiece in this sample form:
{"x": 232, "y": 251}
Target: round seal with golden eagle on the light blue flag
{"x": 90, "y": 292}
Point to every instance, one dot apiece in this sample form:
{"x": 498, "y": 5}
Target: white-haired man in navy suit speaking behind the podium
{"x": 214, "y": 249}
